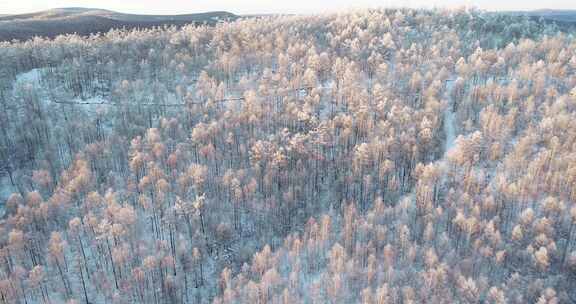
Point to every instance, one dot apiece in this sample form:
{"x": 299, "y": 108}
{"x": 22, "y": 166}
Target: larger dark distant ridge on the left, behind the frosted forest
{"x": 85, "y": 21}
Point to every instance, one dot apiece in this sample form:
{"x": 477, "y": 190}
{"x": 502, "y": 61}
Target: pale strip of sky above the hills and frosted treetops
{"x": 269, "y": 6}
